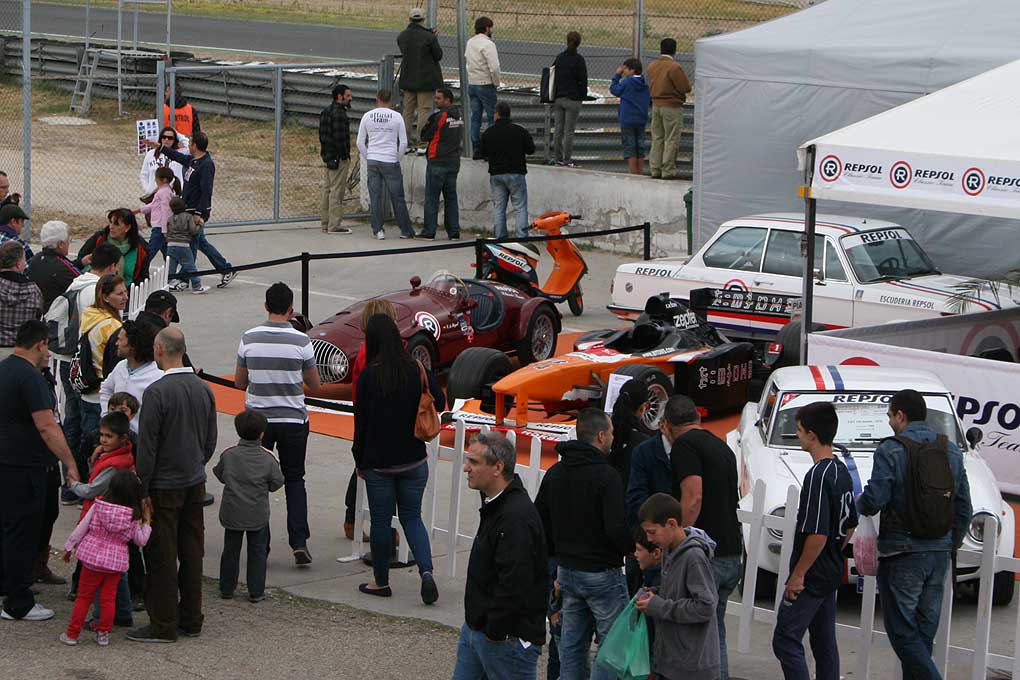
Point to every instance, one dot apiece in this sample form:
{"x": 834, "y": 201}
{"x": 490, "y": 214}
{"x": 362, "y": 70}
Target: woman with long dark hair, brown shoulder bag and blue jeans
{"x": 389, "y": 457}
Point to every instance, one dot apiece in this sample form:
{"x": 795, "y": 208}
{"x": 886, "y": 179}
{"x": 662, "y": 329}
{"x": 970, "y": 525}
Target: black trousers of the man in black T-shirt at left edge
{"x": 23, "y": 507}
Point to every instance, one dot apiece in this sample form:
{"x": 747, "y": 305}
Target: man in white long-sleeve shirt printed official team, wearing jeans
{"x": 382, "y": 141}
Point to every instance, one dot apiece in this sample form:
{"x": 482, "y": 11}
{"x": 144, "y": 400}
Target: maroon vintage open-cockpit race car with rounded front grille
{"x": 439, "y": 321}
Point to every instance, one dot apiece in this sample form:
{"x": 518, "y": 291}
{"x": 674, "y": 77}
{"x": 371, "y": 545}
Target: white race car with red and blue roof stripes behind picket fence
{"x": 767, "y": 446}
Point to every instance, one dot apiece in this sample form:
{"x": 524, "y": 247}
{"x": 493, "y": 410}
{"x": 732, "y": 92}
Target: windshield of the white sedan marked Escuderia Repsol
{"x": 885, "y": 254}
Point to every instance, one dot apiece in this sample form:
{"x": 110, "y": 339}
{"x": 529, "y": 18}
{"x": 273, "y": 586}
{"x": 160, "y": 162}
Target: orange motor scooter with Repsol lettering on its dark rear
{"x": 517, "y": 265}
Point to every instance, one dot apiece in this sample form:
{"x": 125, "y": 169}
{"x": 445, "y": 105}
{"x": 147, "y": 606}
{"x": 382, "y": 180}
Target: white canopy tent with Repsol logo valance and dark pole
{"x": 956, "y": 150}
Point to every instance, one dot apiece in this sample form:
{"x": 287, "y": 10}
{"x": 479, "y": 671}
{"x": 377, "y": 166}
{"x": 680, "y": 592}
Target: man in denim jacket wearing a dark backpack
{"x": 920, "y": 485}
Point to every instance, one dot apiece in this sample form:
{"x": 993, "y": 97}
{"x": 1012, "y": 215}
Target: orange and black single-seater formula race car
{"x": 670, "y": 347}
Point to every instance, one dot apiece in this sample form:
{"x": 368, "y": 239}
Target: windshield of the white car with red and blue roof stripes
{"x": 863, "y": 420}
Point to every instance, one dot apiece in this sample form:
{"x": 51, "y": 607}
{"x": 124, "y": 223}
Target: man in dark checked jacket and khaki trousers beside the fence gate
{"x": 335, "y": 145}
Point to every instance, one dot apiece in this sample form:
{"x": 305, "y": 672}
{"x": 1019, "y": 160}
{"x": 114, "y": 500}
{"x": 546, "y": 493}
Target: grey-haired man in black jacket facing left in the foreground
{"x": 507, "y": 581}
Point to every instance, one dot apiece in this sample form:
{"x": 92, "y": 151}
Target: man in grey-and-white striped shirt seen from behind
{"x": 276, "y": 365}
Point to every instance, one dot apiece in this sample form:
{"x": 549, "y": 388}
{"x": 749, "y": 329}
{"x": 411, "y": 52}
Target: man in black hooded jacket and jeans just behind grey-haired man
{"x": 581, "y": 503}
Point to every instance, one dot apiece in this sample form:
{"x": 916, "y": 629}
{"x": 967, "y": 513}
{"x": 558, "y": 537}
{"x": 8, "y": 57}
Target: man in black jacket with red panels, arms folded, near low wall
{"x": 444, "y": 135}
